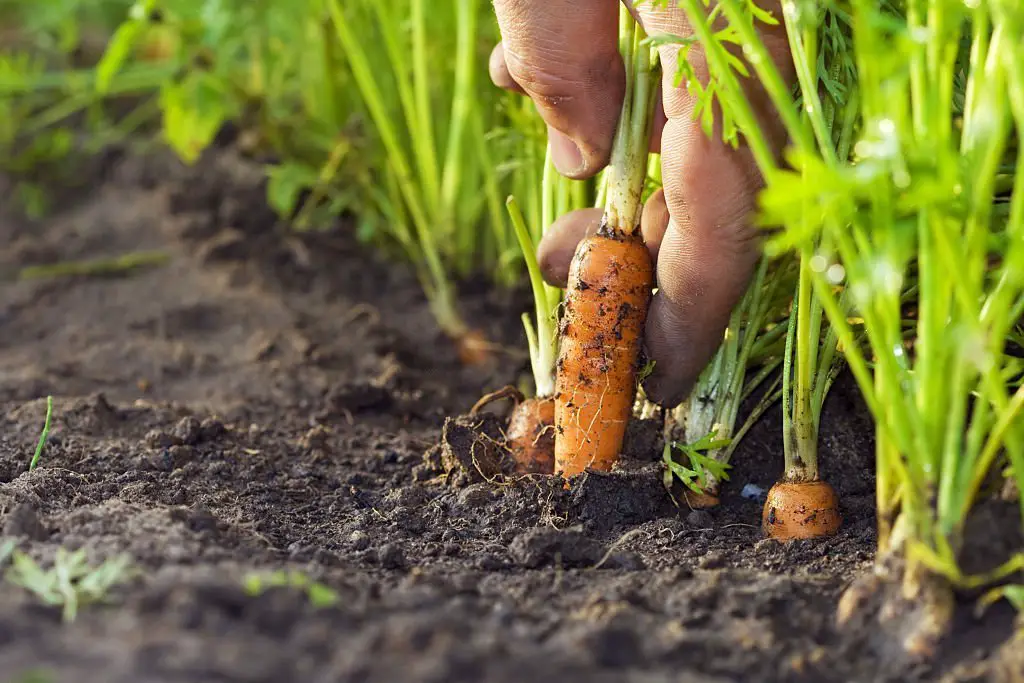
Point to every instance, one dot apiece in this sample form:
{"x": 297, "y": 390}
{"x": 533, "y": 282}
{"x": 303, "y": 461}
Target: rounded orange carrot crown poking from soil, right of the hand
{"x": 801, "y": 510}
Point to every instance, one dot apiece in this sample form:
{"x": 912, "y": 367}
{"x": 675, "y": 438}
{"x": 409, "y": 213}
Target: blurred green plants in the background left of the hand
{"x": 379, "y": 112}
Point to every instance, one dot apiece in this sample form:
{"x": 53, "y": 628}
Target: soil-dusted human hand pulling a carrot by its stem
{"x": 565, "y": 55}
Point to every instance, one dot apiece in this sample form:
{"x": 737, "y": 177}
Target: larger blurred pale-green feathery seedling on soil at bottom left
{"x": 72, "y": 583}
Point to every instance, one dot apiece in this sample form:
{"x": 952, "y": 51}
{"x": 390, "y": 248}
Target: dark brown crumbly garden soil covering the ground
{"x": 268, "y": 401}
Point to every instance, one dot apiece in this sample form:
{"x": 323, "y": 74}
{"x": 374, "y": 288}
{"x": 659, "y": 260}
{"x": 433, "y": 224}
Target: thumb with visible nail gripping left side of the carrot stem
{"x": 565, "y": 55}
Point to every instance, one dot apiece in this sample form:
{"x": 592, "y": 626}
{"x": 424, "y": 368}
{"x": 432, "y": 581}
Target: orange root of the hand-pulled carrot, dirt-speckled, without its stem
{"x": 609, "y": 292}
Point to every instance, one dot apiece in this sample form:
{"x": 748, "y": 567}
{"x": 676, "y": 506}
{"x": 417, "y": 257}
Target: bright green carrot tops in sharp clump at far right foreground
{"x": 913, "y": 201}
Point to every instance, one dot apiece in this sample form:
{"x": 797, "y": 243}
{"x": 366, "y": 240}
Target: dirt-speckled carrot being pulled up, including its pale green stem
{"x": 610, "y": 289}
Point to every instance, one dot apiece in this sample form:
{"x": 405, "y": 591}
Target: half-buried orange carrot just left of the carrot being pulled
{"x": 531, "y": 435}
